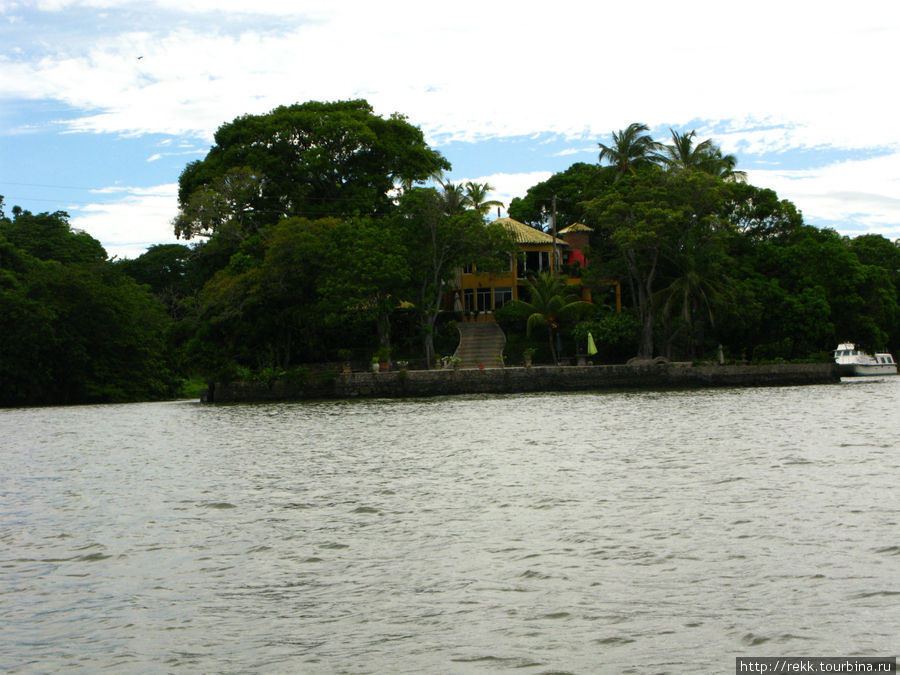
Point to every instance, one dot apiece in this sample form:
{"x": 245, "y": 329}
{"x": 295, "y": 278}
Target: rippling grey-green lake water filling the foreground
{"x": 640, "y": 532}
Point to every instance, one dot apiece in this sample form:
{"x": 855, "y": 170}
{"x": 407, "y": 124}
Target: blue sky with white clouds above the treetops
{"x": 103, "y": 102}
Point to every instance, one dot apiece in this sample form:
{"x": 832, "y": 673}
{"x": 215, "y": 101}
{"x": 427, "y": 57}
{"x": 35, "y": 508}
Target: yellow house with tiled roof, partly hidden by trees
{"x": 477, "y": 295}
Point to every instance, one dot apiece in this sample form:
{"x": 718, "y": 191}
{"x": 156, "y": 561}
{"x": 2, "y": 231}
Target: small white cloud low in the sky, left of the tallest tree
{"x": 136, "y": 220}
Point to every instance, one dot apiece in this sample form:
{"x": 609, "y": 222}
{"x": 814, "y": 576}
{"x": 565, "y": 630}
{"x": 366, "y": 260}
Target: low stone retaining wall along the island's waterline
{"x": 419, "y": 383}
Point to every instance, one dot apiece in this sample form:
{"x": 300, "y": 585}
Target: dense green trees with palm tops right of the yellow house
{"x": 707, "y": 258}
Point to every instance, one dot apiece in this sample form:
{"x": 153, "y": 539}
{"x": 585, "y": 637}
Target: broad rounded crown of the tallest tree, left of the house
{"x": 312, "y": 160}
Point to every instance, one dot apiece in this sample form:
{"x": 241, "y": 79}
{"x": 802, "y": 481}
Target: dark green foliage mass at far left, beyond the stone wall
{"x": 76, "y": 331}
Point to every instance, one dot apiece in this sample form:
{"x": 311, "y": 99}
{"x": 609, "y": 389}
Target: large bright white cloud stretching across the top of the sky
{"x": 511, "y": 72}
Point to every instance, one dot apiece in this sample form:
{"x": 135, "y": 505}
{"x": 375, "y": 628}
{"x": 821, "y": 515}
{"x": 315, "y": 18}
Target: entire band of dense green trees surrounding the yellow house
{"x": 315, "y": 242}
